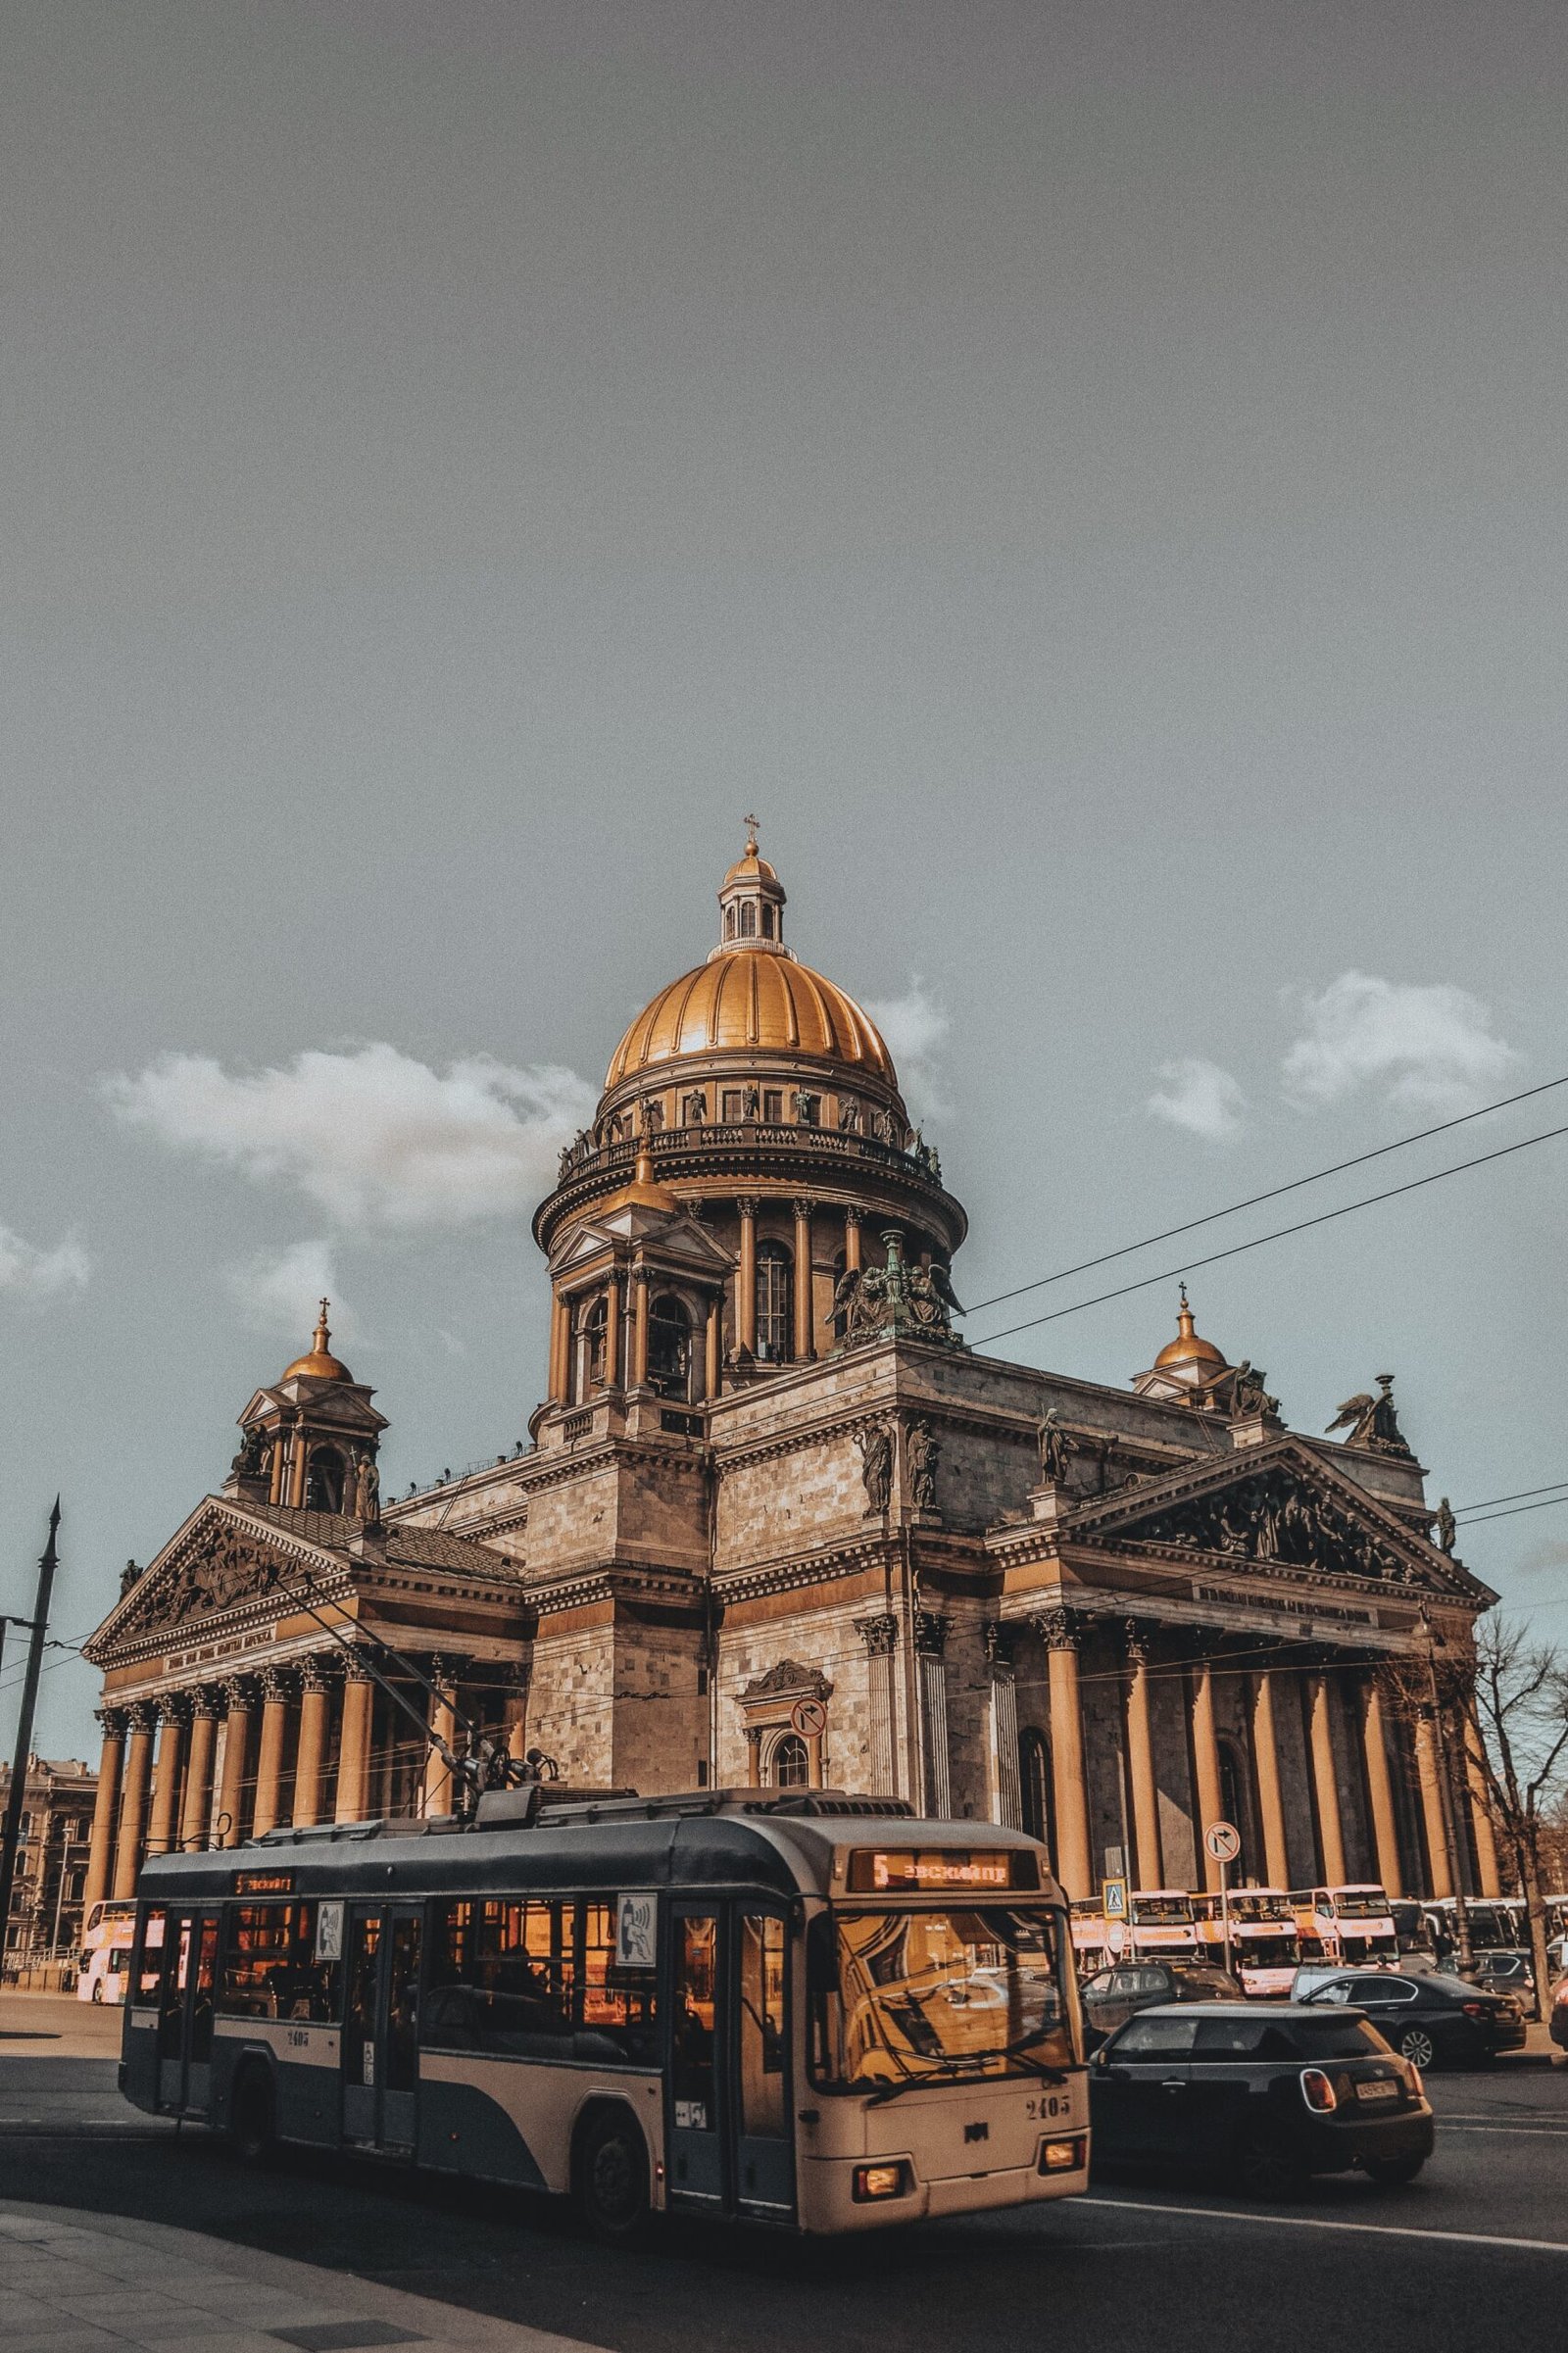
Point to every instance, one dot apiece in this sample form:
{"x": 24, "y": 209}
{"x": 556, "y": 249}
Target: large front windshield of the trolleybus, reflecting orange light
{"x": 926, "y": 1994}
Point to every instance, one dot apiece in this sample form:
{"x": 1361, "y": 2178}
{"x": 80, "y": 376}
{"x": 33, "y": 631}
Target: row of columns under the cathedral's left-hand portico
{"x": 286, "y": 1745}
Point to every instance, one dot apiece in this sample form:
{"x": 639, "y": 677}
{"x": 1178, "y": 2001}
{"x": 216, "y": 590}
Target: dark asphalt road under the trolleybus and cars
{"x": 1470, "y": 2255}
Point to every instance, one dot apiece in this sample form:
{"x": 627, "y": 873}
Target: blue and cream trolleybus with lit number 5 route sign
{"x": 799, "y": 2008}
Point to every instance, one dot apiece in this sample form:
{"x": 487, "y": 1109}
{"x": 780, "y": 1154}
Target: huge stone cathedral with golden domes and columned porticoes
{"x": 778, "y": 1526}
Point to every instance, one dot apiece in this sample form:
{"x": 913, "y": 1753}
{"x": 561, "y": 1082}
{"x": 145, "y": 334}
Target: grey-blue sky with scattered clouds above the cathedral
{"x": 1091, "y": 479}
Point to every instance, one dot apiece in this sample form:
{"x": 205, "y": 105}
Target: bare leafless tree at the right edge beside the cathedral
{"x": 1520, "y": 1700}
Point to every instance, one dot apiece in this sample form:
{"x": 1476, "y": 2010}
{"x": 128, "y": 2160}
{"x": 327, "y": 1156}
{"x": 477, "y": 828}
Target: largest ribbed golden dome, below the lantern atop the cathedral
{"x": 748, "y": 1001}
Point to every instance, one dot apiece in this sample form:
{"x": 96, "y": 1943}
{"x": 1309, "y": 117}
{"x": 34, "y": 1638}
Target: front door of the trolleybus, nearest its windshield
{"x": 731, "y": 2140}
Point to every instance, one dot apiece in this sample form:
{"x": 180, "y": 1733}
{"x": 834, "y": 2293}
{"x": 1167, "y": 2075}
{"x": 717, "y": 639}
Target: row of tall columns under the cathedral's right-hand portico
{"x": 1063, "y": 1634}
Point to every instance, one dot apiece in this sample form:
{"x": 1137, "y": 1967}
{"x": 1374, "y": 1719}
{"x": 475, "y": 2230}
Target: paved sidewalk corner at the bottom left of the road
{"x": 77, "y": 2286}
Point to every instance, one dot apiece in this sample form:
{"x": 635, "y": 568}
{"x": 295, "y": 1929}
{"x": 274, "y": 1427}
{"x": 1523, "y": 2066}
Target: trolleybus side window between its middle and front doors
{"x": 536, "y": 1980}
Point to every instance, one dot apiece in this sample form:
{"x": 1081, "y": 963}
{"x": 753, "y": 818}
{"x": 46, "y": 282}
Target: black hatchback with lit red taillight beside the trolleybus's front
{"x": 1263, "y": 2095}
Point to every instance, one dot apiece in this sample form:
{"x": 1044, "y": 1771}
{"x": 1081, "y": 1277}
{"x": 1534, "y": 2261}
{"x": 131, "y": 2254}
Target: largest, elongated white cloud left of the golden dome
{"x": 371, "y": 1135}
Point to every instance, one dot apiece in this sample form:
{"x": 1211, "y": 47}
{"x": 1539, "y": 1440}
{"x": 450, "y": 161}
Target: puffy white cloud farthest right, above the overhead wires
{"x": 1426, "y": 1048}
